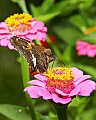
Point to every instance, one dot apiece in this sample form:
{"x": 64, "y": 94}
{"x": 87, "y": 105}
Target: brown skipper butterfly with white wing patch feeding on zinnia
{"x": 36, "y": 55}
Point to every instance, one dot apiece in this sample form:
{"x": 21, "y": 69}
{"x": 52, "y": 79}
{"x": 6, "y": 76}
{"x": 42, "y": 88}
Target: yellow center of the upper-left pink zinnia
{"x": 19, "y": 22}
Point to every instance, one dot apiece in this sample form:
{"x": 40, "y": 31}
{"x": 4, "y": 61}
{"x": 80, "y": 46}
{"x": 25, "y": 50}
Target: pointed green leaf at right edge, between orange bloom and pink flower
{"x": 91, "y": 38}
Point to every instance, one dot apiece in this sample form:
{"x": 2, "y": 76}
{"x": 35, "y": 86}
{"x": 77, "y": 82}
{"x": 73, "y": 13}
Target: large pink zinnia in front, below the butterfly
{"x": 61, "y": 85}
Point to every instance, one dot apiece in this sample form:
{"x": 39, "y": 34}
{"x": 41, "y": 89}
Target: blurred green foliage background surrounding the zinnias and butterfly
{"x": 67, "y": 20}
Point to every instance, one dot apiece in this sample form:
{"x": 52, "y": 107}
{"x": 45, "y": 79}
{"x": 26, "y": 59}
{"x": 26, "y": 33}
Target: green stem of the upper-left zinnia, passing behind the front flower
{"x": 25, "y": 76}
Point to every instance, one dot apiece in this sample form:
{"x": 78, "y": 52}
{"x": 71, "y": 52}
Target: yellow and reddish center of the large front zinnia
{"x": 59, "y": 78}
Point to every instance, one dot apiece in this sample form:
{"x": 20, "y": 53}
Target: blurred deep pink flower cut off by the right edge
{"x": 85, "y": 48}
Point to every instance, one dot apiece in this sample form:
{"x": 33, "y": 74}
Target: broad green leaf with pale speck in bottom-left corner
{"x": 14, "y": 112}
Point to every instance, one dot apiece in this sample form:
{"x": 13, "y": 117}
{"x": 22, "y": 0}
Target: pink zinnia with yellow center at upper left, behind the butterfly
{"x": 21, "y": 25}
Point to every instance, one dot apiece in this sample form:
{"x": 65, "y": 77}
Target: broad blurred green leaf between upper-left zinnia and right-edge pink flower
{"x": 68, "y": 34}
